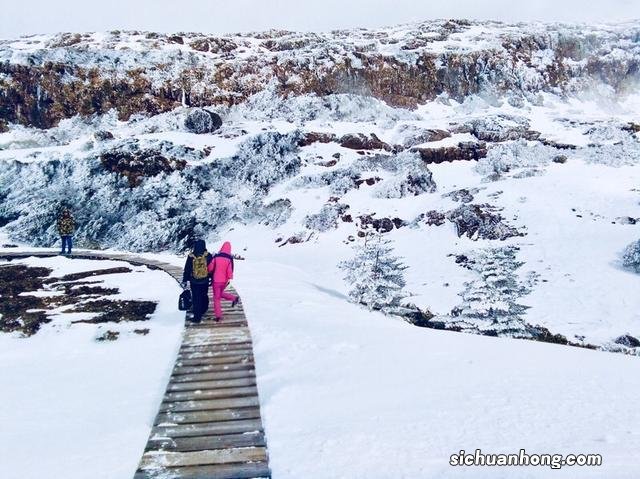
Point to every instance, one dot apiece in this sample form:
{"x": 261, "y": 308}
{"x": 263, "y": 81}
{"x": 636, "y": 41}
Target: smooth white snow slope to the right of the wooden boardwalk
{"x": 350, "y": 394}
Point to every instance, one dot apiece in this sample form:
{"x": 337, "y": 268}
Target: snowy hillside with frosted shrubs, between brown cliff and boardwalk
{"x": 556, "y": 179}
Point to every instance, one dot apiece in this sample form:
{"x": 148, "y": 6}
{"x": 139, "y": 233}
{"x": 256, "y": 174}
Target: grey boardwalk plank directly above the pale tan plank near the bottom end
{"x": 200, "y": 443}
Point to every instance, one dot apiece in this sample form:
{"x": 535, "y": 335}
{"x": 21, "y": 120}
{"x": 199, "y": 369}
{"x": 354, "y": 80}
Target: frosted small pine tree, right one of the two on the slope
{"x": 489, "y": 302}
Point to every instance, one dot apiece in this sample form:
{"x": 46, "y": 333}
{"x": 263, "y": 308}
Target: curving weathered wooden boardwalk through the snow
{"x": 208, "y": 425}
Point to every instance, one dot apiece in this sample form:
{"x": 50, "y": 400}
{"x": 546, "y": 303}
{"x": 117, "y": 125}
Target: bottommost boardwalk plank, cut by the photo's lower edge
{"x": 247, "y": 470}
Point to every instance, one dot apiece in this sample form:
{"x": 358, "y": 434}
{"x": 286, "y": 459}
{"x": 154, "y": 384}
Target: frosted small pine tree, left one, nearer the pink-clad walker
{"x": 376, "y": 276}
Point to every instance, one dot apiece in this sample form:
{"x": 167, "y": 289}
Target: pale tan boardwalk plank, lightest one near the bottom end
{"x": 156, "y": 459}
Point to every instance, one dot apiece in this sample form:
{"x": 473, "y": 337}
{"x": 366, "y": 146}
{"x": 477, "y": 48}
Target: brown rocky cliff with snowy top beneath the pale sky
{"x": 44, "y": 79}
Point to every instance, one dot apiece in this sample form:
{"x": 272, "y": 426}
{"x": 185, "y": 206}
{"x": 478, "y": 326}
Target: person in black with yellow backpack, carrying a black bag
{"x": 197, "y": 274}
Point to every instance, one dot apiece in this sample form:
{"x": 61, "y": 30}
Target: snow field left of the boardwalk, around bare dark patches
{"x": 75, "y": 408}
